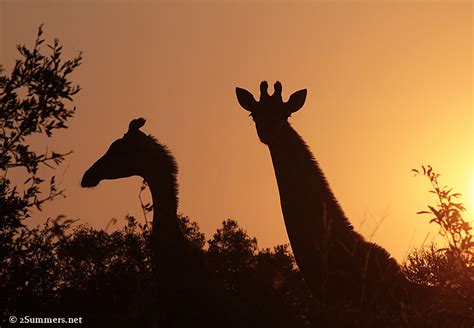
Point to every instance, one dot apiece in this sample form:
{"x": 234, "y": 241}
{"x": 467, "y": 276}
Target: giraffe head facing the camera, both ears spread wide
{"x": 270, "y": 113}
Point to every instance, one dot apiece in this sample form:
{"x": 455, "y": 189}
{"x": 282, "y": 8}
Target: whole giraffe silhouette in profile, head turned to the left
{"x": 185, "y": 288}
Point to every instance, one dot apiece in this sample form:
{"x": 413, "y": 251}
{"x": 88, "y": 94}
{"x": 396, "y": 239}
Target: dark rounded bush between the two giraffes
{"x": 265, "y": 284}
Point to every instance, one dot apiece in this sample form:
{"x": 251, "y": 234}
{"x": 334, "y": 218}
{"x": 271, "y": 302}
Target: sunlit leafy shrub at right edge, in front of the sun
{"x": 449, "y": 267}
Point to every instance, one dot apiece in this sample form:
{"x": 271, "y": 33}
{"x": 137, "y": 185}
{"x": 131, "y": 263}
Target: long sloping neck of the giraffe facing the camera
{"x": 313, "y": 217}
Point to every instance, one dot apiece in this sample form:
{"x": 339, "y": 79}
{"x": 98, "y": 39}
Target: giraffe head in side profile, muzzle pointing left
{"x": 125, "y": 157}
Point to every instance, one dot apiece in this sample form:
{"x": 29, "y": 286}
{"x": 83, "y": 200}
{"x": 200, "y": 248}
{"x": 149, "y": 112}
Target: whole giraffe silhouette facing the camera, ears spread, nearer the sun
{"x": 338, "y": 265}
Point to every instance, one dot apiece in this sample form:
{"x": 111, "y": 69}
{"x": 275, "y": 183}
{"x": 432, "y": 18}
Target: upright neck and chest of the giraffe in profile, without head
{"x": 182, "y": 277}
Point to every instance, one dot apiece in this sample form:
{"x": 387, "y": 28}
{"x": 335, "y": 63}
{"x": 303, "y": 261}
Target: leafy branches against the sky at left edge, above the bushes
{"x": 32, "y": 102}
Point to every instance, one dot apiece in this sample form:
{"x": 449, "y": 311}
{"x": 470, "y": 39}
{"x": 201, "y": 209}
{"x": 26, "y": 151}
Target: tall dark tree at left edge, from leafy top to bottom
{"x": 33, "y": 100}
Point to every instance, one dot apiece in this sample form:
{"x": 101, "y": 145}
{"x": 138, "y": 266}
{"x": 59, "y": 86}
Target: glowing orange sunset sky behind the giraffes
{"x": 389, "y": 88}
